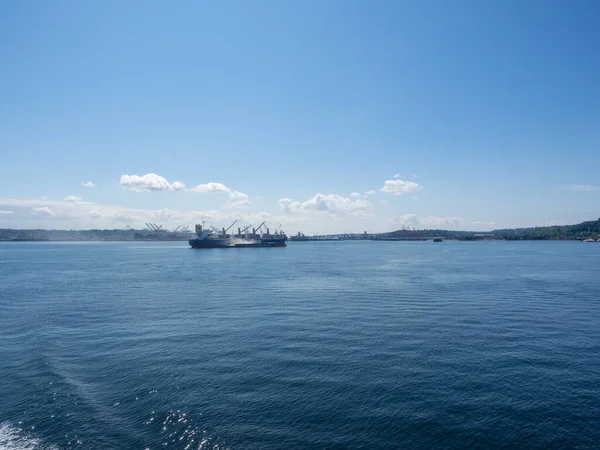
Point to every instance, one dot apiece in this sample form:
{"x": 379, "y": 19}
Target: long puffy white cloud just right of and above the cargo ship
{"x": 330, "y": 203}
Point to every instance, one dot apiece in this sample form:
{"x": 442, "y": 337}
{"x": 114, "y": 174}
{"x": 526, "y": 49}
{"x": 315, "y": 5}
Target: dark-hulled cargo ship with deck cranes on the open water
{"x": 215, "y": 238}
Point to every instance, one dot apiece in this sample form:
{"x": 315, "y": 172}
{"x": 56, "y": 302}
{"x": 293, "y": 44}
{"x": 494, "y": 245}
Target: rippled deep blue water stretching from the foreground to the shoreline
{"x": 317, "y": 345}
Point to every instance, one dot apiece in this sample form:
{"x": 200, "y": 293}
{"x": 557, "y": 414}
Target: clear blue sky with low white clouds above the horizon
{"x": 320, "y": 116}
